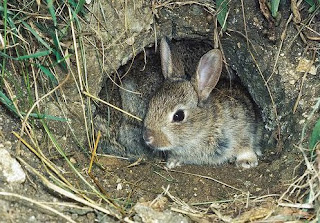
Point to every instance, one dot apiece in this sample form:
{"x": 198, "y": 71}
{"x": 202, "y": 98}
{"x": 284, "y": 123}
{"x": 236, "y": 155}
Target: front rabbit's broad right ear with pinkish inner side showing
{"x": 208, "y": 73}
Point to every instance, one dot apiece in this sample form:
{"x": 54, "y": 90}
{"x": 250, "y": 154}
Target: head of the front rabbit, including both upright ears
{"x": 178, "y": 110}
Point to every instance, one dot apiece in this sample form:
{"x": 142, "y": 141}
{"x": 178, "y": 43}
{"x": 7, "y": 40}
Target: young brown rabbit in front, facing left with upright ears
{"x": 196, "y": 122}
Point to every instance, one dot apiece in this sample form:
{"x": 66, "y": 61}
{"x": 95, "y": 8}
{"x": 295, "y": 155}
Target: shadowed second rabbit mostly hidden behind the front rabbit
{"x": 121, "y": 133}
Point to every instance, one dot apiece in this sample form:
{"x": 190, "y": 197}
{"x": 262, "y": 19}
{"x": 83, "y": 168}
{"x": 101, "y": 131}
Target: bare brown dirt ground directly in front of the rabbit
{"x": 195, "y": 184}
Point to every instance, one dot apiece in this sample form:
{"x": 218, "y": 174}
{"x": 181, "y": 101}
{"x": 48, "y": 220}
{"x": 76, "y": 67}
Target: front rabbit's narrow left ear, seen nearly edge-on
{"x": 166, "y": 59}
